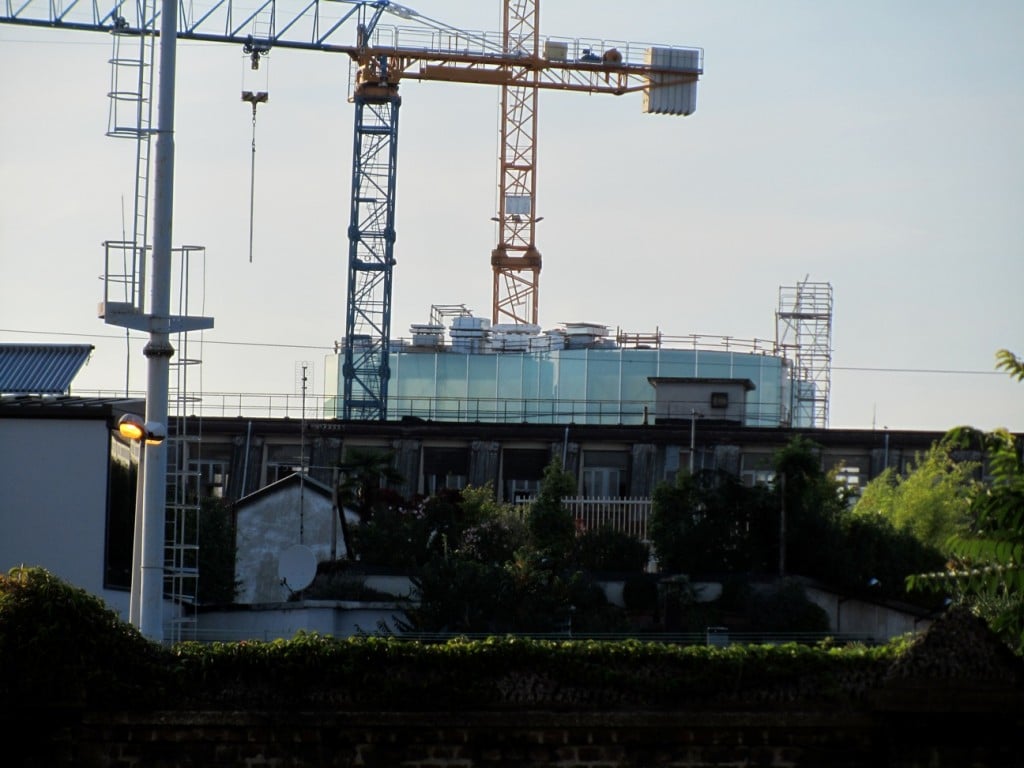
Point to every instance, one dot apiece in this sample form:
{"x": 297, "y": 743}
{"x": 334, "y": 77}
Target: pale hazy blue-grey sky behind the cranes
{"x": 872, "y": 146}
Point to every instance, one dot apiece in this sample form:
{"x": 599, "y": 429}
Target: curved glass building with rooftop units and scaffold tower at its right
{"x": 462, "y": 368}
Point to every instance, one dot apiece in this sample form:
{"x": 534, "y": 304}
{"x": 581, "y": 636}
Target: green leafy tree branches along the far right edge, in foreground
{"x": 988, "y": 566}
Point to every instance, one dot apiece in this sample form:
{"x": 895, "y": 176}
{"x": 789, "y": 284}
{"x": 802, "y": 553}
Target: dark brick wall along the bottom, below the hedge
{"x": 903, "y": 738}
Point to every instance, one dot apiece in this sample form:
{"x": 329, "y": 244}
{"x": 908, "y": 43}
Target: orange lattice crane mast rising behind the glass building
{"x": 516, "y": 261}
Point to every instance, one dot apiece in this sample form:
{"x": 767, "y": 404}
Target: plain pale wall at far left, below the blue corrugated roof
{"x": 54, "y": 476}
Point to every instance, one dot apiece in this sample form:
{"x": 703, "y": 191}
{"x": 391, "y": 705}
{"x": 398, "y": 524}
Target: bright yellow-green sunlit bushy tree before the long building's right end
{"x": 931, "y": 502}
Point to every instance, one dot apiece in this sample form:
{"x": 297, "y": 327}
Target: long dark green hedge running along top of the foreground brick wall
{"x": 62, "y": 648}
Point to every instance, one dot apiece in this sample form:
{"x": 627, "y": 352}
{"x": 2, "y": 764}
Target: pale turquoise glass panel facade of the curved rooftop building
{"x": 579, "y": 387}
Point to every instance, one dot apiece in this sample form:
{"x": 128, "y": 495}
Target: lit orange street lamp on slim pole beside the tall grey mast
{"x": 147, "y": 540}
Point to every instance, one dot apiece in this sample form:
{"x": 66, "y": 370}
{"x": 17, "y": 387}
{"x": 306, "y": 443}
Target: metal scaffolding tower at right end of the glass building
{"x": 803, "y": 335}
